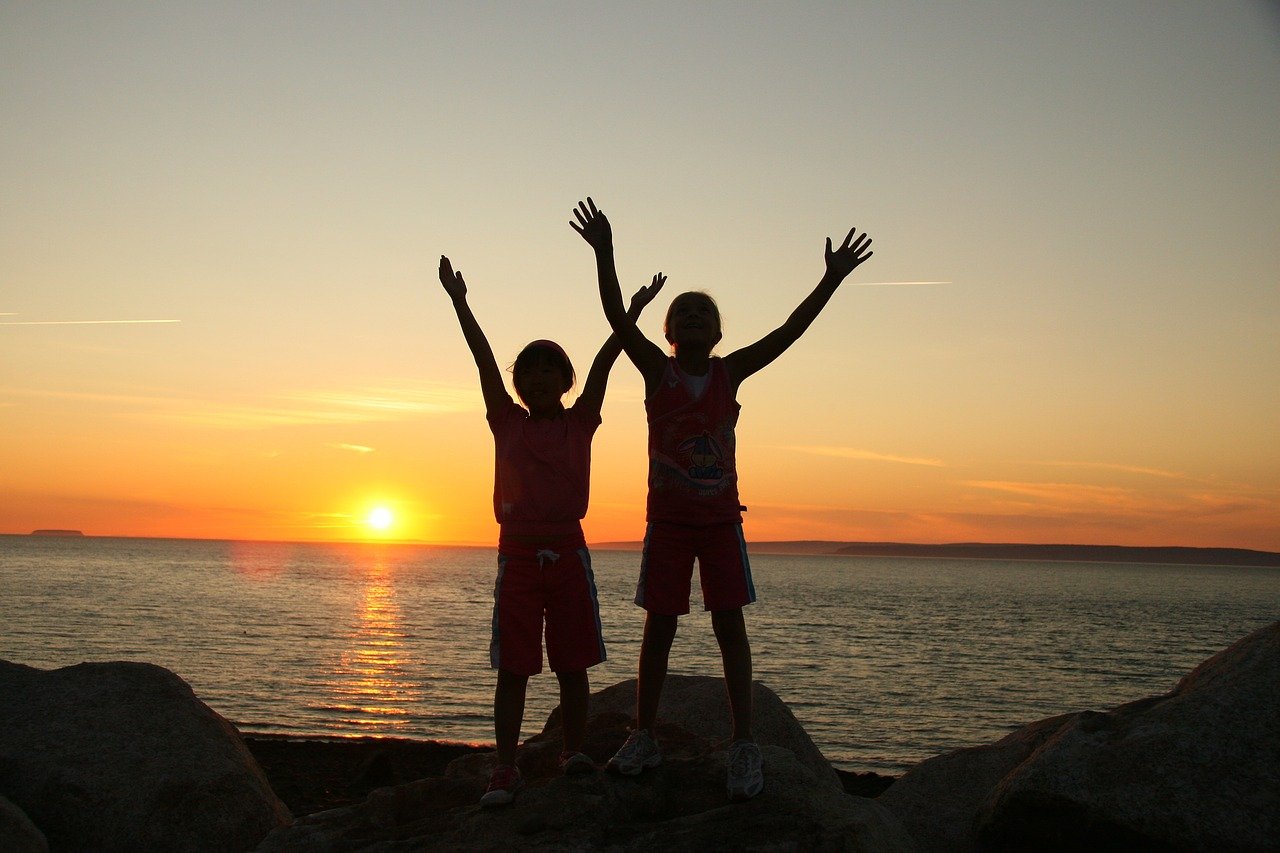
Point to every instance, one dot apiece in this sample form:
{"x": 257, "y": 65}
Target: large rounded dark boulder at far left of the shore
{"x": 125, "y": 758}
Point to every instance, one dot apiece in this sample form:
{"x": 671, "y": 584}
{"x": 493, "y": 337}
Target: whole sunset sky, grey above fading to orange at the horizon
{"x": 221, "y": 223}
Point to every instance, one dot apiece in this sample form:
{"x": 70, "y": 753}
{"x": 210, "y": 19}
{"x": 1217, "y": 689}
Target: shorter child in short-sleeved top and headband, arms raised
{"x": 541, "y": 495}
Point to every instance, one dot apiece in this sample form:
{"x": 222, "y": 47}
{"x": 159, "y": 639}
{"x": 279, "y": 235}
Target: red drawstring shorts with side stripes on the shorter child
{"x": 546, "y": 580}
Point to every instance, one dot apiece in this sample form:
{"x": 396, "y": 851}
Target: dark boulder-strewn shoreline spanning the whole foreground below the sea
{"x": 124, "y": 756}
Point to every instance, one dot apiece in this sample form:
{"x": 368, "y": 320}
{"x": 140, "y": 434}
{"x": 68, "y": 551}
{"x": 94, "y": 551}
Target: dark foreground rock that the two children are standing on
{"x": 682, "y": 805}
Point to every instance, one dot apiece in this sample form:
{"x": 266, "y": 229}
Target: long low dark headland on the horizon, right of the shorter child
{"x": 1000, "y": 551}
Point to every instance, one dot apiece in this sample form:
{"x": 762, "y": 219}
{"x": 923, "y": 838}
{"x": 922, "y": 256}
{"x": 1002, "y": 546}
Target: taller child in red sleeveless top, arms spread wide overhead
{"x": 693, "y": 507}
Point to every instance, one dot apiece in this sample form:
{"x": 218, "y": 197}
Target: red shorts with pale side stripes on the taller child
{"x": 668, "y": 568}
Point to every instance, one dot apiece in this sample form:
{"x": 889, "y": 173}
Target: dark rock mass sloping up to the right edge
{"x": 1196, "y": 769}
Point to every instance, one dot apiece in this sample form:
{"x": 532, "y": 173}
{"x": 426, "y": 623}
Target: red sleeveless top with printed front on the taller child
{"x": 693, "y": 473}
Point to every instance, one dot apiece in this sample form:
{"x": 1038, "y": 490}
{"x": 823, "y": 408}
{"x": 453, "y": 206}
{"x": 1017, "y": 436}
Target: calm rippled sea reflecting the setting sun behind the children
{"x": 885, "y": 662}
